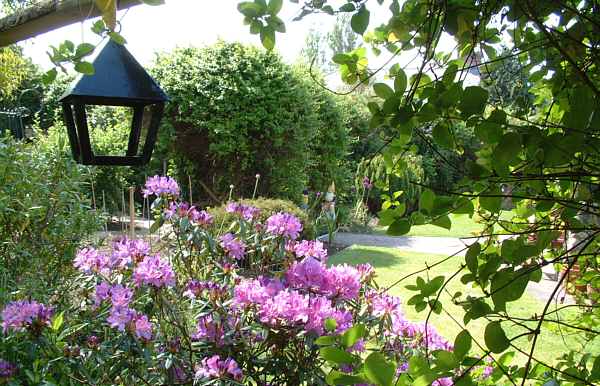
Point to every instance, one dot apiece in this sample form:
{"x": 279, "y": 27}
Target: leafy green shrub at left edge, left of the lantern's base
{"x": 44, "y": 214}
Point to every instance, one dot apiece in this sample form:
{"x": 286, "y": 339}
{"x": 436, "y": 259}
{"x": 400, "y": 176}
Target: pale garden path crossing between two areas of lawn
{"x": 447, "y": 246}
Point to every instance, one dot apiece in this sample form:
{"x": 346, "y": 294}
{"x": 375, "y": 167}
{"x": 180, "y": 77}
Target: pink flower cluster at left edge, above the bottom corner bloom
{"x": 21, "y": 314}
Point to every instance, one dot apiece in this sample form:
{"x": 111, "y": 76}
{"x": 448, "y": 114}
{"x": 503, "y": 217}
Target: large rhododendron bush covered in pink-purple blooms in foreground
{"x": 249, "y": 304}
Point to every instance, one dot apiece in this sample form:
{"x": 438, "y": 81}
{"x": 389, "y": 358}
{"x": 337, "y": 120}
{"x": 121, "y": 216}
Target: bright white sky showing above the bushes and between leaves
{"x": 202, "y": 22}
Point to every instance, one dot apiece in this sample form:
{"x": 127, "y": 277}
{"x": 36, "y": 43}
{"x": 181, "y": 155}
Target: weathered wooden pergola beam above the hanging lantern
{"x": 49, "y": 15}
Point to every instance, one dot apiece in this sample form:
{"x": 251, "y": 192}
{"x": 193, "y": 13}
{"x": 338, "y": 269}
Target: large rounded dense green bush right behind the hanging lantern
{"x": 236, "y": 111}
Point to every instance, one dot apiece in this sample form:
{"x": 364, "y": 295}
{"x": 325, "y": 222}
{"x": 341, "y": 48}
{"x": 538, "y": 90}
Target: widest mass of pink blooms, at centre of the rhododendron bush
{"x": 279, "y": 306}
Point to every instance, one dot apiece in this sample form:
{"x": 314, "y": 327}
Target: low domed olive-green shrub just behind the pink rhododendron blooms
{"x": 267, "y": 207}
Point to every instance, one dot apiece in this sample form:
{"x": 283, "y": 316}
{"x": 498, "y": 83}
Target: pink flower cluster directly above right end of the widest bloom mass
{"x": 339, "y": 281}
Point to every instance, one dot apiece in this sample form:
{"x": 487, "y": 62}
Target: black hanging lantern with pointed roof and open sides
{"x": 118, "y": 80}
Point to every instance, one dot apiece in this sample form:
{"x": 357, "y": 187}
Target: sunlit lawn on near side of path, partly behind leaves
{"x": 391, "y": 264}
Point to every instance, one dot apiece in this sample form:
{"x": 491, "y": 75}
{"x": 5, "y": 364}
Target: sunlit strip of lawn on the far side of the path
{"x": 462, "y": 226}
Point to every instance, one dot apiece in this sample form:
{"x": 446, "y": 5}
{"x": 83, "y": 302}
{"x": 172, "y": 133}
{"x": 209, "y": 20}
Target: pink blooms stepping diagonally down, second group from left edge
{"x": 121, "y": 315}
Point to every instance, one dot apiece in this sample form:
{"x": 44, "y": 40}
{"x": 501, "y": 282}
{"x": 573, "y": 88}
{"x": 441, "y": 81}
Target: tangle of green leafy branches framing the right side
{"x": 523, "y": 77}
